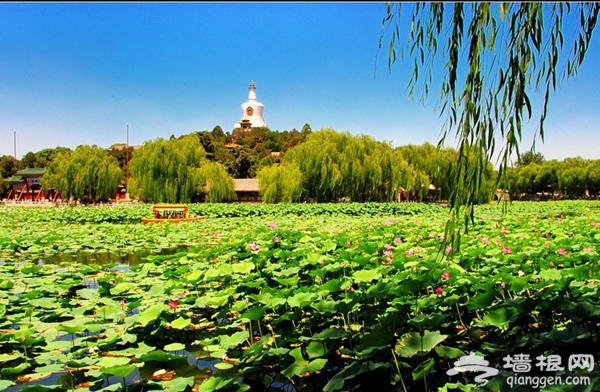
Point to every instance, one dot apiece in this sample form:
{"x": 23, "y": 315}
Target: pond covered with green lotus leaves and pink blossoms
{"x": 333, "y": 297}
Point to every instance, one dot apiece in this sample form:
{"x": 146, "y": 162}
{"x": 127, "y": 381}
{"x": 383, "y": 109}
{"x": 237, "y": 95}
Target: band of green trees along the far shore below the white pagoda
{"x": 291, "y": 166}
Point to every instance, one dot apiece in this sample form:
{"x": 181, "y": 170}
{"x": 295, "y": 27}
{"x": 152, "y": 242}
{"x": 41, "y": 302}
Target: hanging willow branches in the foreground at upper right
{"x": 493, "y": 55}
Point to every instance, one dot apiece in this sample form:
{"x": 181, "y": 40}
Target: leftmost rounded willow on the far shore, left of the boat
{"x": 88, "y": 174}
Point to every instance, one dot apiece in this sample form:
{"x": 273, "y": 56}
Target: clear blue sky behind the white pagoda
{"x": 78, "y": 73}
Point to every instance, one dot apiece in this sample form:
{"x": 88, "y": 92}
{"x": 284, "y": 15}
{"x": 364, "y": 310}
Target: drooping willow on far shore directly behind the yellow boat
{"x": 167, "y": 170}
